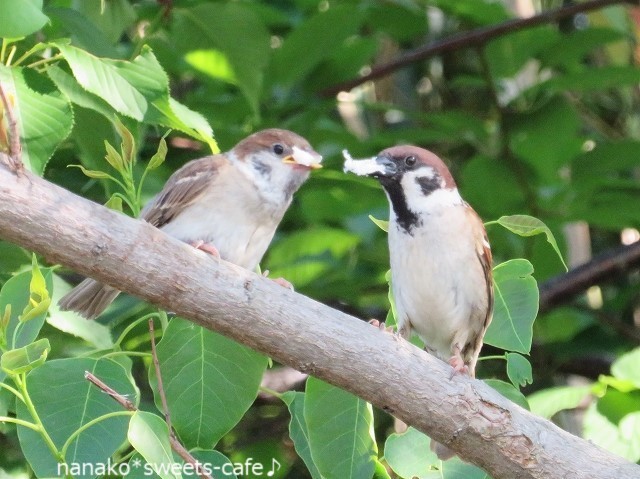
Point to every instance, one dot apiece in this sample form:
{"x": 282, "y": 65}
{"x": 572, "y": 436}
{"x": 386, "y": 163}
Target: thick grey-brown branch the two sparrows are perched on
{"x": 467, "y": 415}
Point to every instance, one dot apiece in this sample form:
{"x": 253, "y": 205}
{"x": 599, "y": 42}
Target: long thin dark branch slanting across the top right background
{"x": 474, "y": 38}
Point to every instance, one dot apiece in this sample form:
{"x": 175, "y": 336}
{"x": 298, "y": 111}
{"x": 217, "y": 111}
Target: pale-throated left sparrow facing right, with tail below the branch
{"x": 228, "y": 205}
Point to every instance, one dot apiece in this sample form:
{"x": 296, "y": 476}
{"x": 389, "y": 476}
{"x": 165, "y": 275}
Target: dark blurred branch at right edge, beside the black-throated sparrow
{"x": 603, "y": 267}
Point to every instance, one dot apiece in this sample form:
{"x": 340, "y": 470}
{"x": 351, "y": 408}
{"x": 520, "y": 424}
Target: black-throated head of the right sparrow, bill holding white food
{"x": 415, "y": 180}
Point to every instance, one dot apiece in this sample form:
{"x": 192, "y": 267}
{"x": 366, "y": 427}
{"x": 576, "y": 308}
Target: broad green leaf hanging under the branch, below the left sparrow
{"x": 210, "y": 381}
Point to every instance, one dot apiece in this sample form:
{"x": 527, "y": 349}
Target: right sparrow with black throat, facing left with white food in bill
{"x": 441, "y": 277}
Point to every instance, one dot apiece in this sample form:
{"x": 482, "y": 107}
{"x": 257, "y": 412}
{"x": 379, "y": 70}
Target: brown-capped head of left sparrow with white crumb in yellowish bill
{"x": 277, "y": 161}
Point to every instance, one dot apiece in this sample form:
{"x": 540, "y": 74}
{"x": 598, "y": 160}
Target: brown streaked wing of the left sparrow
{"x": 183, "y": 187}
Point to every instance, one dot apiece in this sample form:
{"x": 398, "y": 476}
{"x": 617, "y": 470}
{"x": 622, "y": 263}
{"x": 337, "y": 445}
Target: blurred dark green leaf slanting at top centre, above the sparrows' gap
{"x": 314, "y": 40}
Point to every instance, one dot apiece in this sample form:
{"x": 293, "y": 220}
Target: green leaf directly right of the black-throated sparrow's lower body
{"x": 516, "y": 306}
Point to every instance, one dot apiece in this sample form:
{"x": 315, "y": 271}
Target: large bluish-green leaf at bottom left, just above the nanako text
{"x": 65, "y": 401}
